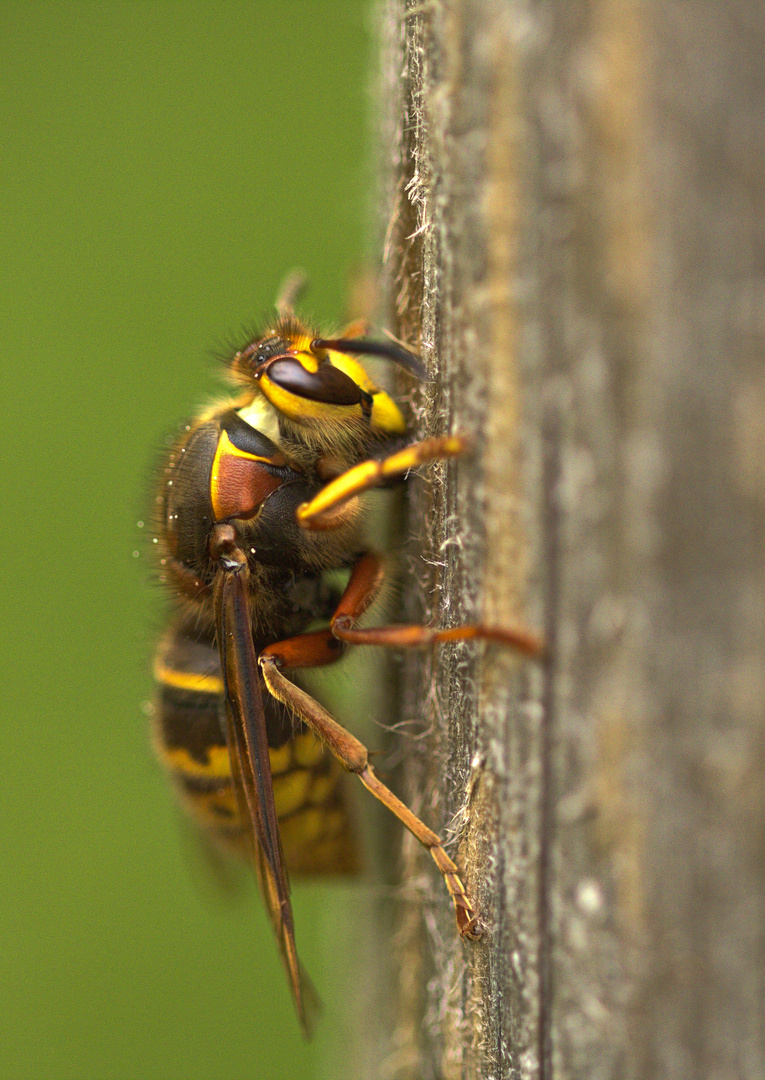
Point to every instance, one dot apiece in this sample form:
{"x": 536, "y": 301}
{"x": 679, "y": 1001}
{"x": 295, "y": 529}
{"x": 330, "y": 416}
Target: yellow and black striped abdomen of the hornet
{"x": 190, "y": 739}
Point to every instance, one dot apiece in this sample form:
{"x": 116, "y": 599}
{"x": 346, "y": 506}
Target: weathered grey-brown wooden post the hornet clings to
{"x": 575, "y": 227}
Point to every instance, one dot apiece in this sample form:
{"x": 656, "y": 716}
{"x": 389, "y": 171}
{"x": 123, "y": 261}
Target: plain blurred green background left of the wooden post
{"x": 163, "y": 166}
